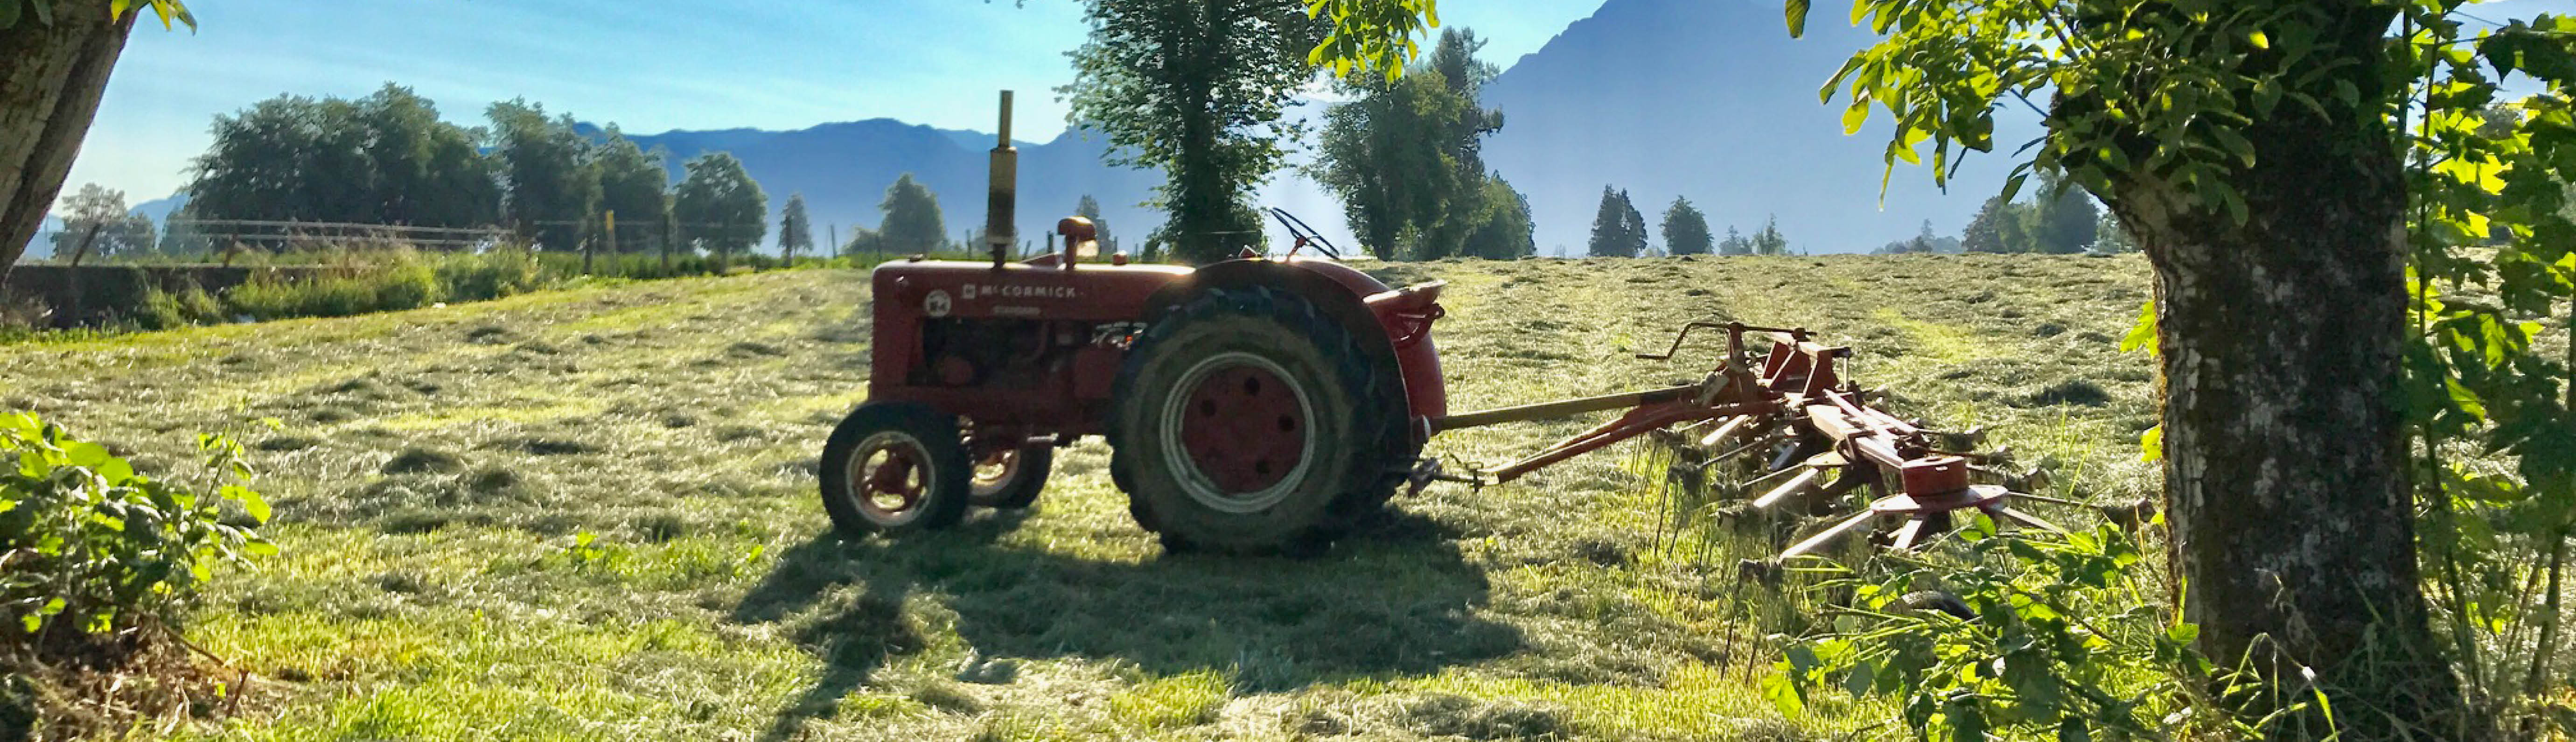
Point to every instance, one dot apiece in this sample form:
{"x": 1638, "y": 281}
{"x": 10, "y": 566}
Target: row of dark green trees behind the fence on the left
{"x": 390, "y": 158}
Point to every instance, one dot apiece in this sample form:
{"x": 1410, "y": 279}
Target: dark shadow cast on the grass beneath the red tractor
{"x": 1392, "y": 602}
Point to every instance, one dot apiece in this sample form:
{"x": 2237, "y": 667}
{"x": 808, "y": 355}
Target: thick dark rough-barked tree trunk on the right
{"x": 2284, "y": 411}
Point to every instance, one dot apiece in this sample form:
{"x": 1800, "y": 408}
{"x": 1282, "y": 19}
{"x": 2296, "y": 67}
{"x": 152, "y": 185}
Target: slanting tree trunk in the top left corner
{"x": 48, "y": 97}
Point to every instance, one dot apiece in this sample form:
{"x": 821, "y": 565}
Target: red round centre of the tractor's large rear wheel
{"x": 1243, "y": 429}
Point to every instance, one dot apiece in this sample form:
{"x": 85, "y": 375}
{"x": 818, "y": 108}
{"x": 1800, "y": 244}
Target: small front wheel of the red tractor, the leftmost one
{"x": 895, "y": 468}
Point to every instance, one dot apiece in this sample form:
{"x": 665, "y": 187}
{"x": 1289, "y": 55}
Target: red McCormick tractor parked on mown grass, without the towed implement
{"x": 1251, "y": 403}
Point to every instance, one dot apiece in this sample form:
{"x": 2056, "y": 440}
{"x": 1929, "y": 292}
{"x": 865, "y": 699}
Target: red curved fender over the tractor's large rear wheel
{"x": 1343, "y": 295}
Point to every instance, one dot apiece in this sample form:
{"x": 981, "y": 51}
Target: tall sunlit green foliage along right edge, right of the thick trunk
{"x": 2495, "y": 411}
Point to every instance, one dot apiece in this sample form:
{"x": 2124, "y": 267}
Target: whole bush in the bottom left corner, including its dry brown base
{"x": 97, "y": 573}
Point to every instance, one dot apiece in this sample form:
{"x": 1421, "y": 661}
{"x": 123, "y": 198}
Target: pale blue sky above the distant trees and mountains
{"x": 648, "y": 66}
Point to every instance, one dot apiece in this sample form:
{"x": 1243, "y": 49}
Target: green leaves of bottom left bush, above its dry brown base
{"x": 94, "y": 550}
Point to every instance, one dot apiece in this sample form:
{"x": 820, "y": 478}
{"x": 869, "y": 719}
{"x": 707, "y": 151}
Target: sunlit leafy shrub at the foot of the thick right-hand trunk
{"x": 2039, "y": 638}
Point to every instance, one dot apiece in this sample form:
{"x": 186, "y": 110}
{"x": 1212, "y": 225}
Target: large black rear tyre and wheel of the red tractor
{"x": 1248, "y": 421}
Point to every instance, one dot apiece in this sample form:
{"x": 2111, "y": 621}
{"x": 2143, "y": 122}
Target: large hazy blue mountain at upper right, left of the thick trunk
{"x": 1714, "y": 102}
